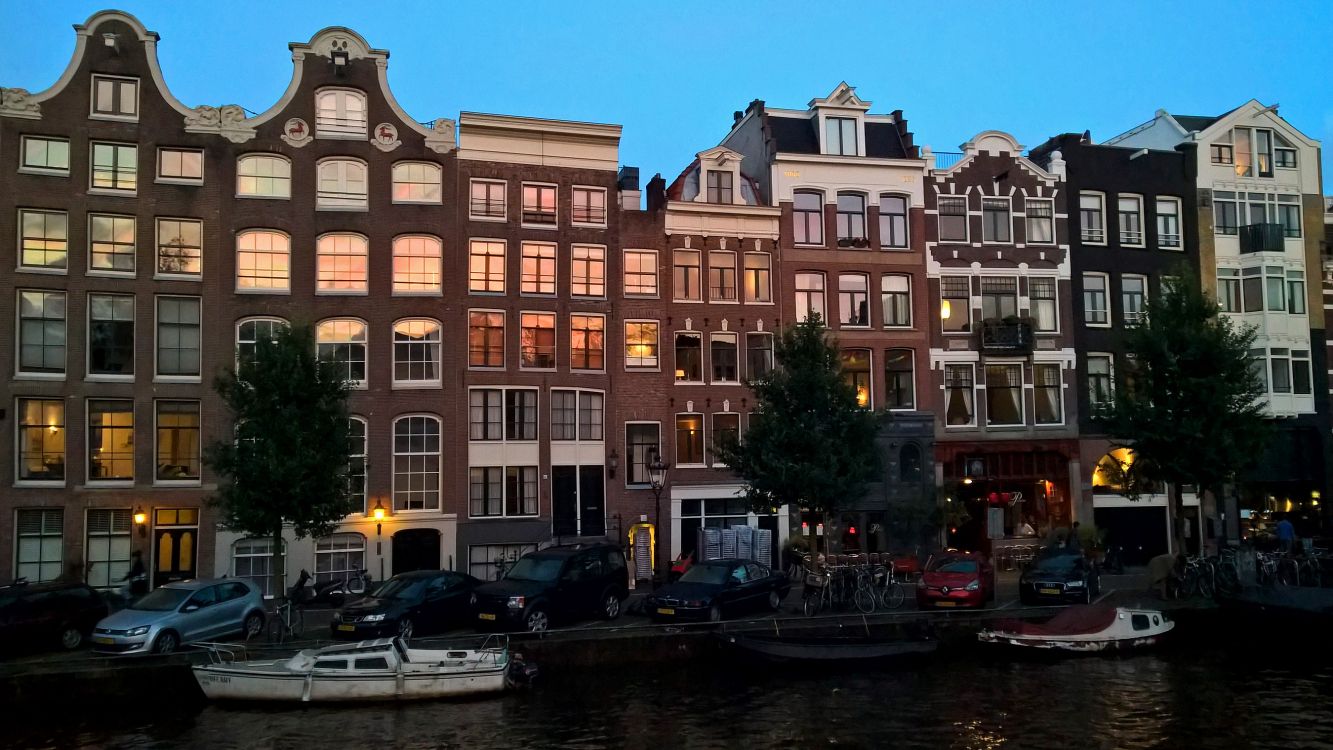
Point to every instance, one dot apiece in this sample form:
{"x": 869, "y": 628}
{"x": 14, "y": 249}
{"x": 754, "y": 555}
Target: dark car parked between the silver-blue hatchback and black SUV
{"x": 407, "y": 605}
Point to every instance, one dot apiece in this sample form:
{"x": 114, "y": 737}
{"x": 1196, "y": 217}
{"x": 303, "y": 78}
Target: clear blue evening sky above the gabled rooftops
{"x": 672, "y": 74}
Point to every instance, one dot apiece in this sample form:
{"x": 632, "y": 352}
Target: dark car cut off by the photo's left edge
{"x": 42, "y": 615}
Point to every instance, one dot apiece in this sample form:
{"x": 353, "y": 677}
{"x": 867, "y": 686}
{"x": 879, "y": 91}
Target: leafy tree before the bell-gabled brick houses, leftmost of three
{"x": 289, "y": 460}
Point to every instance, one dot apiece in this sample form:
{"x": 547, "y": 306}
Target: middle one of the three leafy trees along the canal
{"x": 810, "y": 444}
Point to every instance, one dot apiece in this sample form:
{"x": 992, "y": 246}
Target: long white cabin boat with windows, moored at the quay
{"x": 385, "y": 669}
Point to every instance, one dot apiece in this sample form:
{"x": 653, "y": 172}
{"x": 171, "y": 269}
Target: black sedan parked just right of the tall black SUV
{"x": 720, "y": 588}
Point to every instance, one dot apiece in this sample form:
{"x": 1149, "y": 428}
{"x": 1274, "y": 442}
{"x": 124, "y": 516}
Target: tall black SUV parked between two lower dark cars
{"x": 562, "y": 583}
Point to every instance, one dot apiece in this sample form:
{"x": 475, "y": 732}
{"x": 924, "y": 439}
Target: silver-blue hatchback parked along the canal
{"x": 183, "y": 612}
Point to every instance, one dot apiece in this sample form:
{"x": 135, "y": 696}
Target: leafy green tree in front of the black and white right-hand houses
{"x": 1191, "y": 406}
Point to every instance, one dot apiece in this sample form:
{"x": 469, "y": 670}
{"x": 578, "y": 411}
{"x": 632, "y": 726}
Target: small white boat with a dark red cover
{"x": 1084, "y": 629}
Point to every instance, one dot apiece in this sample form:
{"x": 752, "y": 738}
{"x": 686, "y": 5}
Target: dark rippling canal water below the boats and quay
{"x": 1248, "y": 693}
